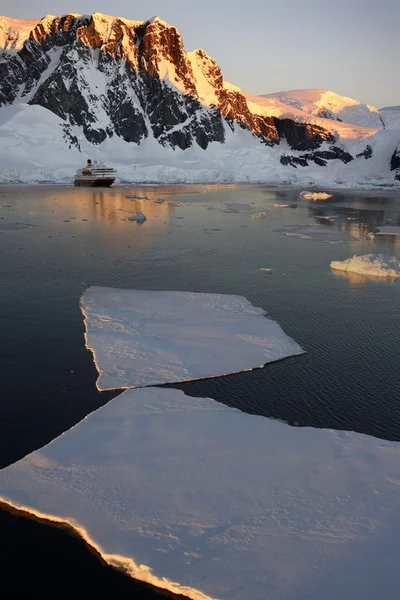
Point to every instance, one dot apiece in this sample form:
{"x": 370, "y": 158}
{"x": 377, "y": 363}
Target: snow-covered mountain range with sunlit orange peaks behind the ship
{"x": 110, "y": 83}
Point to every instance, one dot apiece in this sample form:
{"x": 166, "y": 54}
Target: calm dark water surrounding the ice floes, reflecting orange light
{"x": 349, "y": 326}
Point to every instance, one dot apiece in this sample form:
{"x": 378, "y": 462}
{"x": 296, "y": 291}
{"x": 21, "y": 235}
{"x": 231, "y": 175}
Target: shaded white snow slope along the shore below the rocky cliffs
{"x": 242, "y": 158}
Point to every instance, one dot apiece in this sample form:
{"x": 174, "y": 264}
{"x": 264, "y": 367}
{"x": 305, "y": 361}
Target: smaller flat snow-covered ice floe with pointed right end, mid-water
{"x": 141, "y": 338}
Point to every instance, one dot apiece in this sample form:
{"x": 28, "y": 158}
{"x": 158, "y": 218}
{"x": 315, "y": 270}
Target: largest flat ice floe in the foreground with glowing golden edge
{"x": 205, "y": 500}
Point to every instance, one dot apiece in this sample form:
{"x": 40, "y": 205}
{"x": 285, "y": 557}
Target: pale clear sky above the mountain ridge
{"x": 264, "y": 46}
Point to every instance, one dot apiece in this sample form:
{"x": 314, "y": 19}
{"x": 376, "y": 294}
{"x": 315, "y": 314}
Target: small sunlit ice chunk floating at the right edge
{"x": 377, "y": 265}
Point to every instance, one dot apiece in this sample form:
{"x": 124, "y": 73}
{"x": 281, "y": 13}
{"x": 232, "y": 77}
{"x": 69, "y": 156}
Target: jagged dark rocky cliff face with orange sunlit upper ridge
{"x": 134, "y": 79}
